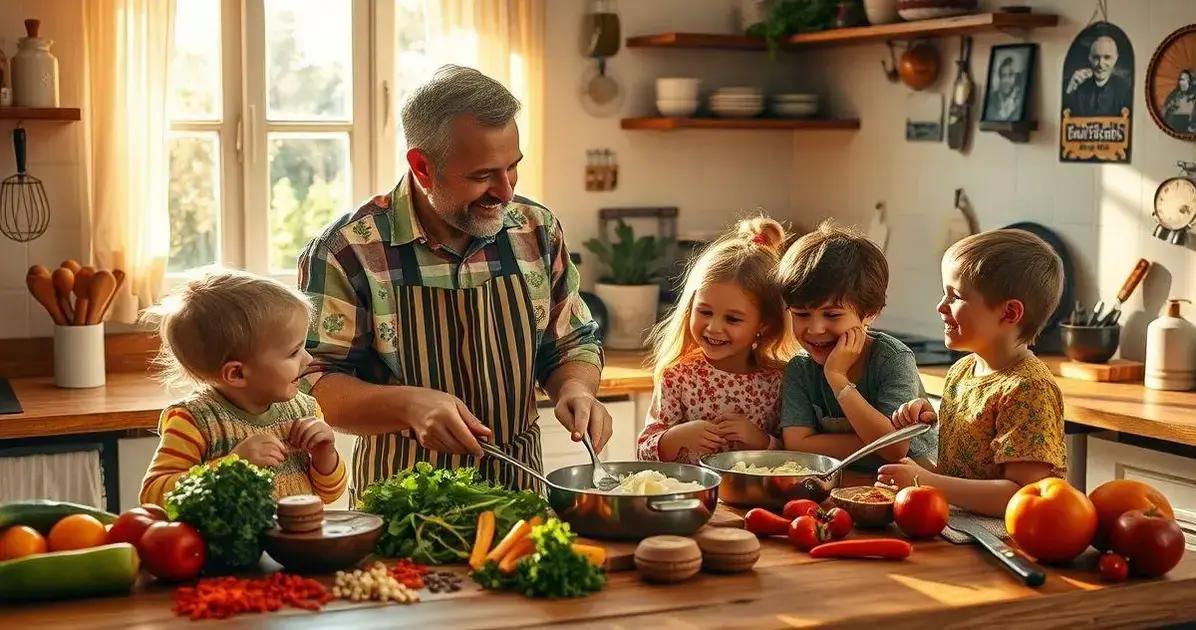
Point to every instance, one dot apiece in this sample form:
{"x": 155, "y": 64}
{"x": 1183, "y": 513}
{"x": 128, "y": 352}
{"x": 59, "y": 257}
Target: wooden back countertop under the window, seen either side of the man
{"x": 135, "y": 401}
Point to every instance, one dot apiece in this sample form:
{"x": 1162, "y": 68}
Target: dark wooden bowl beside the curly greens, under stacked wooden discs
{"x": 346, "y": 540}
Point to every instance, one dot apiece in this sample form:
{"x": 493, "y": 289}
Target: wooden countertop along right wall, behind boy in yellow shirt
{"x": 1121, "y": 407}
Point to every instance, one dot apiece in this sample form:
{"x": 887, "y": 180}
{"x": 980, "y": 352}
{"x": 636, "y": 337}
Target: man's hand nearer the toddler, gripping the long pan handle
{"x": 443, "y": 423}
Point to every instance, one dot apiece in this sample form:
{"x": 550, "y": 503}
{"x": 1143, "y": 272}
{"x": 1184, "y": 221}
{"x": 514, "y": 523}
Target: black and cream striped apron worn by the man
{"x": 478, "y": 345}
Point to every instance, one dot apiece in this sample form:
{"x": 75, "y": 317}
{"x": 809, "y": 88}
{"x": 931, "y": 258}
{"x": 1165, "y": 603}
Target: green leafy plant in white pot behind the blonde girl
{"x": 631, "y": 290}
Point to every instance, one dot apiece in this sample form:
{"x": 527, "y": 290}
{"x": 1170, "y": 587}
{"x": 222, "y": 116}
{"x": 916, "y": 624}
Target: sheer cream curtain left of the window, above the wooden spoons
{"x": 127, "y": 48}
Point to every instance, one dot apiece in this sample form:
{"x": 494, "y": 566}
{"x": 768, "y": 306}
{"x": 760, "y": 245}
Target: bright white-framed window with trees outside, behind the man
{"x": 270, "y": 129}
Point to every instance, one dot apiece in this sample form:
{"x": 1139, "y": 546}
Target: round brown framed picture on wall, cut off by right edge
{"x": 1171, "y": 84}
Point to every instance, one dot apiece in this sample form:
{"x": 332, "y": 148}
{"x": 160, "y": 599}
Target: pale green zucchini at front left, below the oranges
{"x": 78, "y": 573}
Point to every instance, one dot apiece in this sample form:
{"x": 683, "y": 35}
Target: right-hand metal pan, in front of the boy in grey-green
{"x": 773, "y": 492}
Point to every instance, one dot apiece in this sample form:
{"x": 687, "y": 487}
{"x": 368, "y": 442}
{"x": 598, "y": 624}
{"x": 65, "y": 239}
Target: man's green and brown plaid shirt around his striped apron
{"x": 351, "y": 270}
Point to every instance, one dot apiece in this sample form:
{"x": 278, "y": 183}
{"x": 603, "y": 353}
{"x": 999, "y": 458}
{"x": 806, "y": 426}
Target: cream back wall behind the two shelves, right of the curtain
{"x": 713, "y": 176}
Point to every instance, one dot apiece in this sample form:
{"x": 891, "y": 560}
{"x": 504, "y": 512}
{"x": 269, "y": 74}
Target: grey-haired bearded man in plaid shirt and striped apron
{"x": 441, "y": 305}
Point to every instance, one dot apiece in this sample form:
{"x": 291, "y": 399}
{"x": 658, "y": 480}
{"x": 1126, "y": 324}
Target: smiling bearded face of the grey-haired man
{"x": 478, "y": 181}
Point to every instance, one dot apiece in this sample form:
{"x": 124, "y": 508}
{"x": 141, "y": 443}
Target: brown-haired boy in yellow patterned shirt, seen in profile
{"x": 1002, "y": 419}
